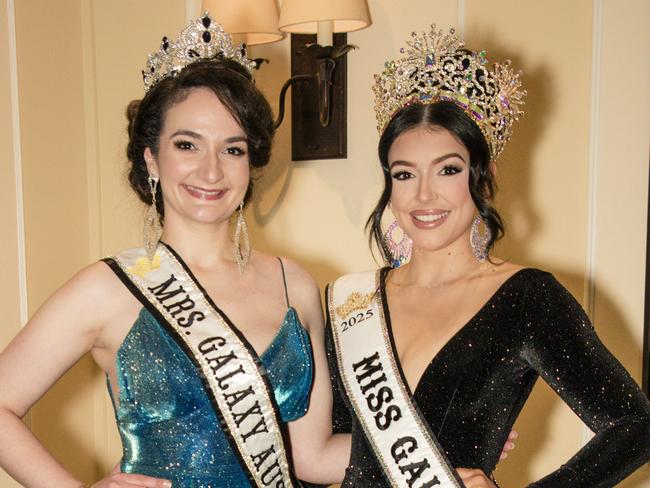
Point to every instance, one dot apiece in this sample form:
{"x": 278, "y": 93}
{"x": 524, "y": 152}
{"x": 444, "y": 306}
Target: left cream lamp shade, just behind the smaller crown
{"x": 249, "y": 21}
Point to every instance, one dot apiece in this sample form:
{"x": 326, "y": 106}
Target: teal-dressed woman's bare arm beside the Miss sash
{"x": 319, "y": 455}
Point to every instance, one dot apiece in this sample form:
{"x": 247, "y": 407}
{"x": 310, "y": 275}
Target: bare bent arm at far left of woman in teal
{"x": 65, "y": 328}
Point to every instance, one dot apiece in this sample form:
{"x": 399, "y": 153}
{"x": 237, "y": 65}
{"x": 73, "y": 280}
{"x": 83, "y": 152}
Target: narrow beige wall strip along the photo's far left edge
{"x": 10, "y": 283}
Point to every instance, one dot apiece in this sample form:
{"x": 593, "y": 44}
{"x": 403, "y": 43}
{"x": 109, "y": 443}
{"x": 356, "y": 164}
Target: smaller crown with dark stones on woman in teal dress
{"x": 202, "y": 39}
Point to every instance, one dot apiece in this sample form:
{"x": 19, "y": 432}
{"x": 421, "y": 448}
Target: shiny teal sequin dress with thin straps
{"x": 165, "y": 419}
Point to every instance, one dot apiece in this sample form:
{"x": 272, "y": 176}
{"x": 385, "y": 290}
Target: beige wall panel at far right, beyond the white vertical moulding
{"x": 621, "y": 161}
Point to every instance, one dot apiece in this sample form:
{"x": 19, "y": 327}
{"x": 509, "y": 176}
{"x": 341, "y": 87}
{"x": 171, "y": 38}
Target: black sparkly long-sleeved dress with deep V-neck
{"x": 473, "y": 390}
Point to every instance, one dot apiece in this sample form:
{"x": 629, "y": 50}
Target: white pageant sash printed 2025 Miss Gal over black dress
{"x": 401, "y": 440}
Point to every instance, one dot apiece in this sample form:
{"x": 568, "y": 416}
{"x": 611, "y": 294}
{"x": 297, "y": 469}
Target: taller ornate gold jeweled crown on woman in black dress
{"x": 436, "y": 67}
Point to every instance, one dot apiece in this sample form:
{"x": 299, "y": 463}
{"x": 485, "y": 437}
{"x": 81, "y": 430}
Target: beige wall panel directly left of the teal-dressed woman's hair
{"x": 124, "y": 33}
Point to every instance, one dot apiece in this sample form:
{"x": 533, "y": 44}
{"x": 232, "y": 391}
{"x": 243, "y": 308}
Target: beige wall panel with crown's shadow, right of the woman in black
{"x": 543, "y": 174}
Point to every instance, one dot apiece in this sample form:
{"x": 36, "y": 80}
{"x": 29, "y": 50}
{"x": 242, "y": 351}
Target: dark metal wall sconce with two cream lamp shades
{"x": 318, "y": 62}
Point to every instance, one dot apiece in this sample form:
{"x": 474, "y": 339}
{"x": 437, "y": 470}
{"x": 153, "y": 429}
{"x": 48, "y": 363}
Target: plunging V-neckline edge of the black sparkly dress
{"x": 383, "y": 274}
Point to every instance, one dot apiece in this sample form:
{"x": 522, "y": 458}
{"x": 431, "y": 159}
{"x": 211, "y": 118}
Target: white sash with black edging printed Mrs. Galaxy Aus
{"x": 226, "y": 363}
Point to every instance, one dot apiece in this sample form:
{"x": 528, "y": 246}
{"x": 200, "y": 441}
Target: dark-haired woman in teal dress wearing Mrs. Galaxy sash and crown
{"x": 211, "y": 350}
